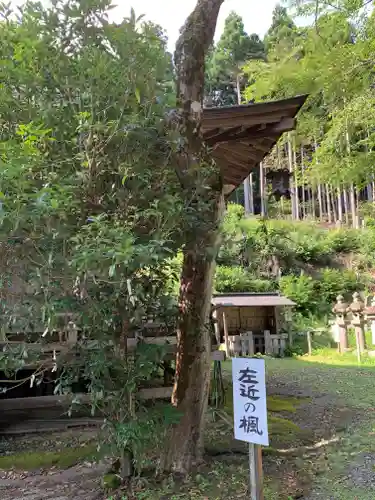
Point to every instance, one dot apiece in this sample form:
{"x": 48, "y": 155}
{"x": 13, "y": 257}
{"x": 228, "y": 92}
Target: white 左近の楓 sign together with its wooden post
{"x": 250, "y": 415}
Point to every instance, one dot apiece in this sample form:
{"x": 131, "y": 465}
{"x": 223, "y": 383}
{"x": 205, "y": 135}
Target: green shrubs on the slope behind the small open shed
{"x": 255, "y": 252}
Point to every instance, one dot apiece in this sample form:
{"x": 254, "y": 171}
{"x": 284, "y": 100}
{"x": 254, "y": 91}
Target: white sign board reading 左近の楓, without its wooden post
{"x": 249, "y": 400}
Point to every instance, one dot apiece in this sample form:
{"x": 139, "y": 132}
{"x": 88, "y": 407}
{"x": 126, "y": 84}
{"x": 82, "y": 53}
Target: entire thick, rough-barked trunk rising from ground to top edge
{"x": 196, "y": 168}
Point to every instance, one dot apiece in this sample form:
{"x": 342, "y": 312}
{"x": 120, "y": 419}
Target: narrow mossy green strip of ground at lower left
{"x": 63, "y": 459}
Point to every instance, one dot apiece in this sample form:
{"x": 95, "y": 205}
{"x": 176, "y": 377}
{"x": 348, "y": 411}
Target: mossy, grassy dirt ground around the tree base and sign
{"x": 334, "y": 460}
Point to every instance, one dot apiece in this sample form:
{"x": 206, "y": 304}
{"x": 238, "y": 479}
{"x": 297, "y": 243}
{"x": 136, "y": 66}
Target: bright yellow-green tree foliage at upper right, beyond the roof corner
{"x": 331, "y": 61}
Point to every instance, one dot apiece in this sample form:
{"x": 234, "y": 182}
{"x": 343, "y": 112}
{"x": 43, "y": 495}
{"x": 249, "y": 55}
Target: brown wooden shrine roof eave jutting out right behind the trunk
{"x": 241, "y": 136}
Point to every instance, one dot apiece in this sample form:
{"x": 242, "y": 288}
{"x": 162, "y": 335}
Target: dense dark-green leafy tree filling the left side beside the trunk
{"x": 89, "y": 197}
